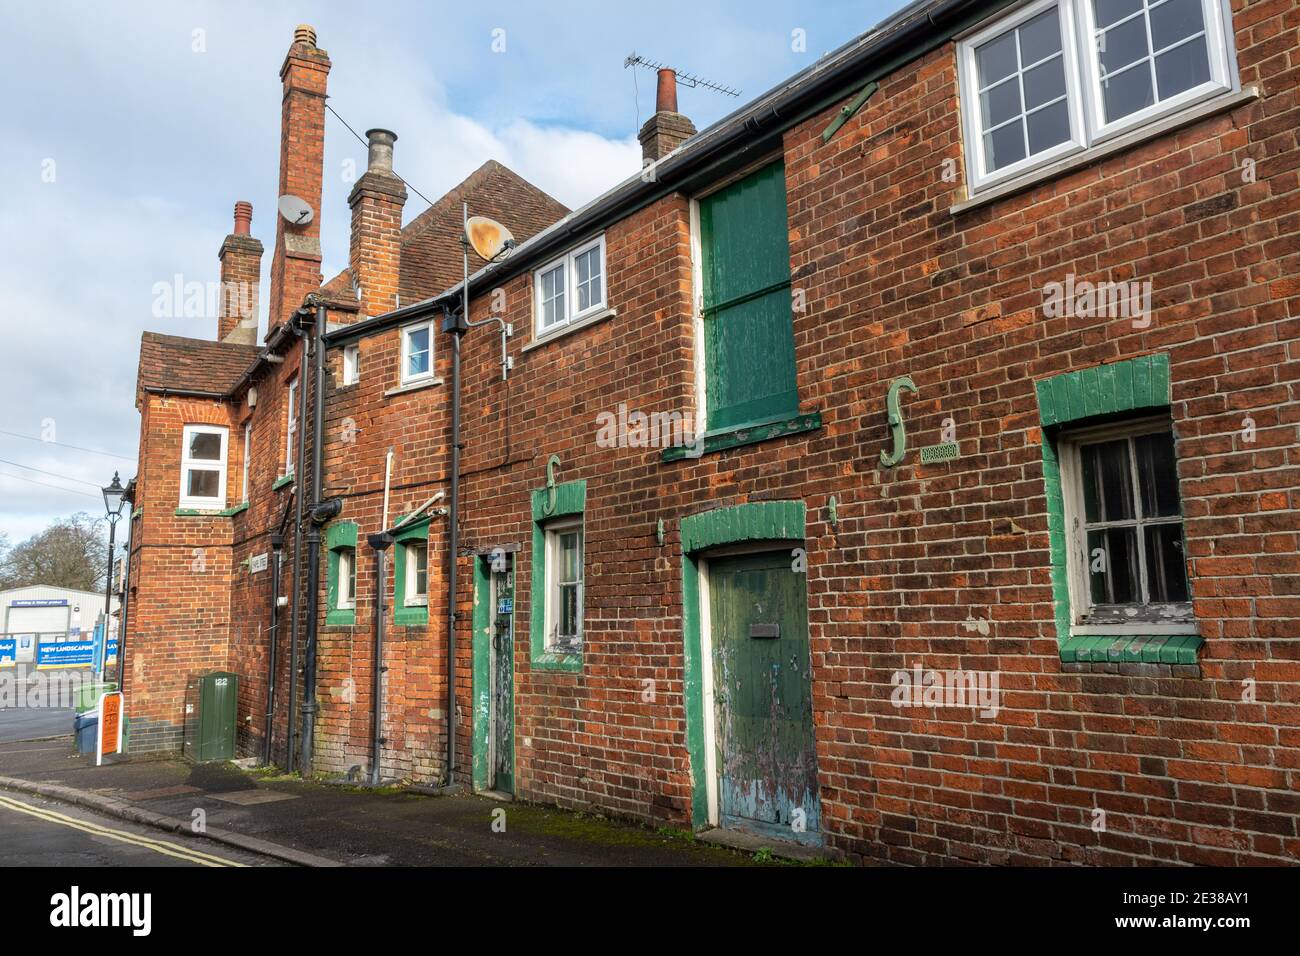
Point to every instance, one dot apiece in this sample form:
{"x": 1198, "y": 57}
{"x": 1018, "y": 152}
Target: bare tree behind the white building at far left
{"x": 71, "y": 553}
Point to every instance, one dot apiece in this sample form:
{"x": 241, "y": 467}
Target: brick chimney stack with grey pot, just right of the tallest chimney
{"x": 375, "y": 250}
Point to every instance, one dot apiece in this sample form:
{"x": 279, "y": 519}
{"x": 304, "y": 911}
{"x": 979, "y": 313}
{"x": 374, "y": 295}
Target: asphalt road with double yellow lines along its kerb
{"x": 36, "y": 832}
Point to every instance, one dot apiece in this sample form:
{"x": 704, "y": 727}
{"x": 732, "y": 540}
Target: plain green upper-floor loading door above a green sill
{"x": 749, "y": 335}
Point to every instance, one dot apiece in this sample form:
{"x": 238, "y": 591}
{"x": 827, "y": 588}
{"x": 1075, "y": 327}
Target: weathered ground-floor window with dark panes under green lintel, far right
{"x": 1125, "y": 527}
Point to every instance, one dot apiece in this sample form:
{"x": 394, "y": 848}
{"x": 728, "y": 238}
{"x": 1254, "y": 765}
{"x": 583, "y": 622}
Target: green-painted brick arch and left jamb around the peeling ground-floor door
{"x": 765, "y": 521}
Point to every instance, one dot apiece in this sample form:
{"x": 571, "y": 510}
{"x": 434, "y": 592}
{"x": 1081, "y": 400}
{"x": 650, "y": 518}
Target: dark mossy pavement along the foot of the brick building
{"x": 317, "y": 824}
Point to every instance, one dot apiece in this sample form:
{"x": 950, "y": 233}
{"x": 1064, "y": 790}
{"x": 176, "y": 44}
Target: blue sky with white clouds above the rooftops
{"x": 131, "y": 131}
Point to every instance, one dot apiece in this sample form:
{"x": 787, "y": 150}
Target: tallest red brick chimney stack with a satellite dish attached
{"x": 296, "y": 269}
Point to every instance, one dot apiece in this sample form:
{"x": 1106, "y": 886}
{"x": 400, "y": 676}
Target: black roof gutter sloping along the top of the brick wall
{"x": 909, "y": 34}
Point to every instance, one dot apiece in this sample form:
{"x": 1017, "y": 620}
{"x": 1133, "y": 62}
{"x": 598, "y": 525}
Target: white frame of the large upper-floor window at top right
{"x": 1084, "y": 85}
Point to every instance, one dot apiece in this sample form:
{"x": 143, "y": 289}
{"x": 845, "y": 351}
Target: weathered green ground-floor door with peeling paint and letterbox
{"x": 764, "y": 698}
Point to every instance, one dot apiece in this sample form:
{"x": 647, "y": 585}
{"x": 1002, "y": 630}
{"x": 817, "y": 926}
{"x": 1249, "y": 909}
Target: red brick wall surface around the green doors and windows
{"x": 896, "y": 284}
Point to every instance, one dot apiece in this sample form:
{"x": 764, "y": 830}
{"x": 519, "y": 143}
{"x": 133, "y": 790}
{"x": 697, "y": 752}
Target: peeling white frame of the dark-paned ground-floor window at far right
{"x": 1149, "y": 620}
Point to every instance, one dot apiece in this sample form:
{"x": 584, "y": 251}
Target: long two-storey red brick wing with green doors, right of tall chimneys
{"x": 905, "y": 465}
